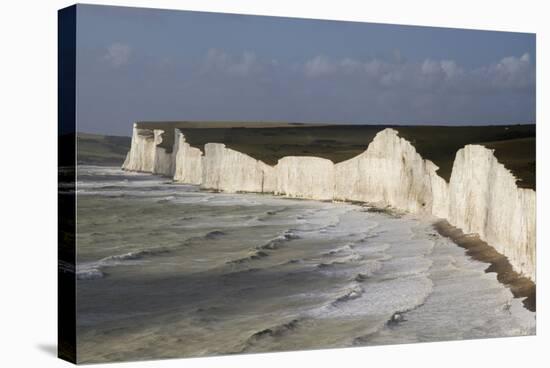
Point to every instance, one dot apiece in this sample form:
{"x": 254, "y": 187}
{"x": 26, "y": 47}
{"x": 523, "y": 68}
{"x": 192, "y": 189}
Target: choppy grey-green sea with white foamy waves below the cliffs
{"x": 167, "y": 270}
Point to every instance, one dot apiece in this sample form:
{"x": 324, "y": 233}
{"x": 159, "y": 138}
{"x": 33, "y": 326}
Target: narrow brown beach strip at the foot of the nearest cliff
{"x": 520, "y": 286}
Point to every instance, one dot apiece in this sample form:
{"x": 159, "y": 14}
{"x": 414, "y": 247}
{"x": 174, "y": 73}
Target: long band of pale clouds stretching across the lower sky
{"x": 244, "y": 86}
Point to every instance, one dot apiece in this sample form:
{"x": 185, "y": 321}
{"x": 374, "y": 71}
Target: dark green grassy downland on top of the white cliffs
{"x": 514, "y": 145}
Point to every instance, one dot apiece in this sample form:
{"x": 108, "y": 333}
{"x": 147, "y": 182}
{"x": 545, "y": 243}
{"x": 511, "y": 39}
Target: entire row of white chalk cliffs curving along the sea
{"x": 482, "y": 196}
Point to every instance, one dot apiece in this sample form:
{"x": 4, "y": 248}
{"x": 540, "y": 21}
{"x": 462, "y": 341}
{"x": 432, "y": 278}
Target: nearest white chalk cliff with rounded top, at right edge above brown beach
{"x": 484, "y": 199}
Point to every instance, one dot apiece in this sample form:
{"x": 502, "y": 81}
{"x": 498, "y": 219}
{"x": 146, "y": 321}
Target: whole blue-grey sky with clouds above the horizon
{"x": 137, "y": 64}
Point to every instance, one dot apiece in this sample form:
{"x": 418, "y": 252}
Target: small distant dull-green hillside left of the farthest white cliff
{"x": 102, "y": 150}
